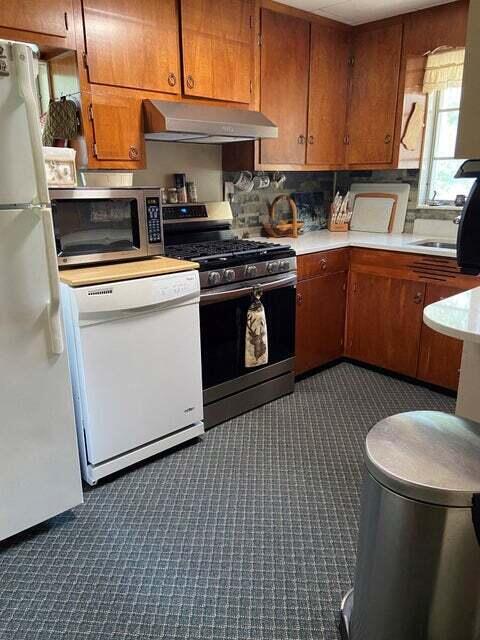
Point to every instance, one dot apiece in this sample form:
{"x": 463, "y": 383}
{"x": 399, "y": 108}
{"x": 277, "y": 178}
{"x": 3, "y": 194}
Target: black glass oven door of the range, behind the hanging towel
{"x": 223, "y": 319}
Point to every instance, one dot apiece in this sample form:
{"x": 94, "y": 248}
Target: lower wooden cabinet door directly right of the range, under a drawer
{"x": 320, "y": 321}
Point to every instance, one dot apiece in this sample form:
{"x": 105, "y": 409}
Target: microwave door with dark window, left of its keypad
{"x": 98, "y": 225}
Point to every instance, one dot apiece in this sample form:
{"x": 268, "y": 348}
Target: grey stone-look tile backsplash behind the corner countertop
{"x": 250, "y": 210}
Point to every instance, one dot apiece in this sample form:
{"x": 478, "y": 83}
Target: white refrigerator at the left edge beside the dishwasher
{"x": 39, "y": 464}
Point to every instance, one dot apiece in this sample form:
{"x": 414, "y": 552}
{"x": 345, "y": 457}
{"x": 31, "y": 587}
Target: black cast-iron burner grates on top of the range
{"x": 223, "y": 249}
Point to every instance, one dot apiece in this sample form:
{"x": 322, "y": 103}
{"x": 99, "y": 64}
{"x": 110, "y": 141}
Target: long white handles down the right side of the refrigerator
{"x": 26, "y": 77}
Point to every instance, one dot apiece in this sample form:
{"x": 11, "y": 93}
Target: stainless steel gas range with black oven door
{"x": 232, "y": 273}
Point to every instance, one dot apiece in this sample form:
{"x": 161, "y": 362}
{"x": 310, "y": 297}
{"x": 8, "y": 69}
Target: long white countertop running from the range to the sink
{"x": 314, "y": 241}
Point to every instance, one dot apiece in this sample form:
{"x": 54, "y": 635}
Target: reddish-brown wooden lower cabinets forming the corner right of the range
{"x": 387, "y": 293}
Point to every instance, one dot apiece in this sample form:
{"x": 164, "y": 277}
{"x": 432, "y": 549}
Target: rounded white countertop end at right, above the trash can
{"x": 457, "y": 316}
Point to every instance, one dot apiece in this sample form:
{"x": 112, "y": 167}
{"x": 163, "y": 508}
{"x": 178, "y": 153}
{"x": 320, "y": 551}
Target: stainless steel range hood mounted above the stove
{"x": 183, "y": 122}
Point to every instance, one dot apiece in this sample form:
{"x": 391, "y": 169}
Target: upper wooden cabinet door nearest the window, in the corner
{"x": 374, "y": 93}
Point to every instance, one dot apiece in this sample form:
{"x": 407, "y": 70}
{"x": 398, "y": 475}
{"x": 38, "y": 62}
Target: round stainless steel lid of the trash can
{"x": 429, "y": 456}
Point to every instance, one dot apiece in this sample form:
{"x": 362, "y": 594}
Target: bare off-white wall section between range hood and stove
{"x": 202, "y": 163}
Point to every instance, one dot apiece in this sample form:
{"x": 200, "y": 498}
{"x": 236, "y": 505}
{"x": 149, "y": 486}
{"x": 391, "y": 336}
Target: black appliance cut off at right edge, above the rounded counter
{"x": 468, "y": 239}
